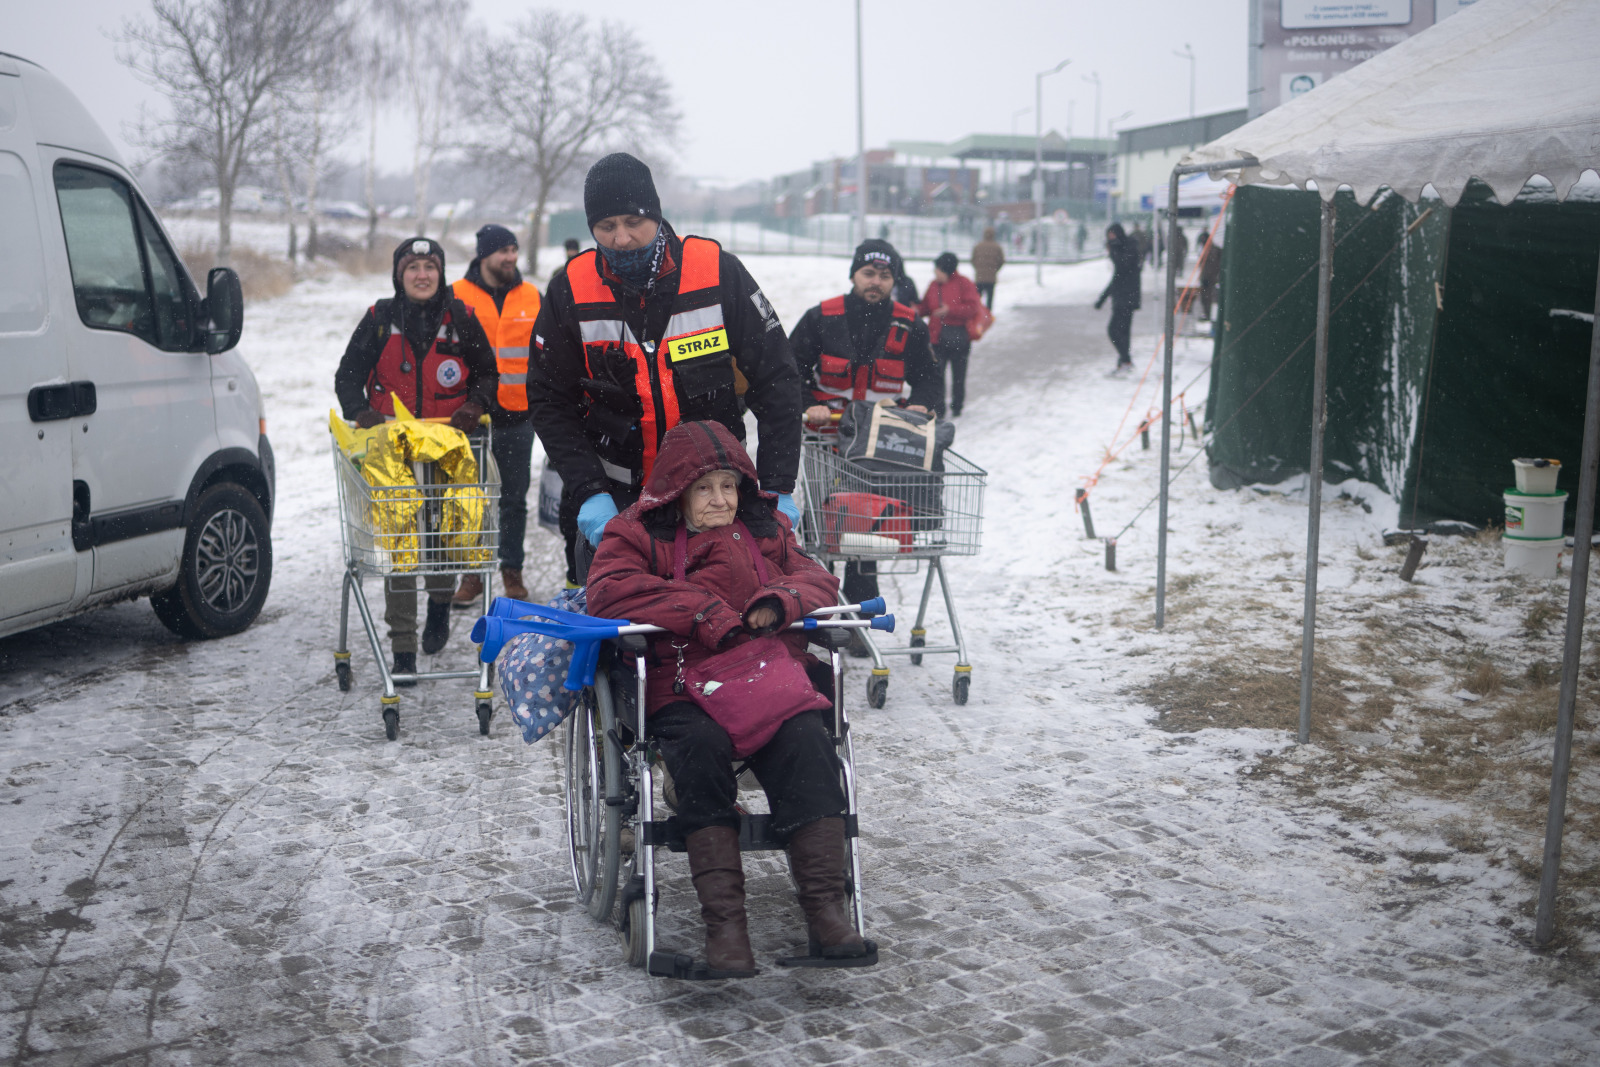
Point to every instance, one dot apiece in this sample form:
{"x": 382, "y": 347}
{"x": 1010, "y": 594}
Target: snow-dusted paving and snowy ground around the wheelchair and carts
{"x": 210, "y": 855}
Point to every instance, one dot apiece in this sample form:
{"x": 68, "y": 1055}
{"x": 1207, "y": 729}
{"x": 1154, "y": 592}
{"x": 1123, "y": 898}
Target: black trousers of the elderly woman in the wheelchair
{"x": 799, "y": 767}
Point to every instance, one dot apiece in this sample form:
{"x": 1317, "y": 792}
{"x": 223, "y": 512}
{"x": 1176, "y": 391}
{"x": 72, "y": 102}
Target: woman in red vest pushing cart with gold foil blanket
{"x": 428, "y": 350}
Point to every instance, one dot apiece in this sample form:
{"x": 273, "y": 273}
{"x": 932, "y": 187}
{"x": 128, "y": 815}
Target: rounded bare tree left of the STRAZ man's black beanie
{"x": 556, "y": 94}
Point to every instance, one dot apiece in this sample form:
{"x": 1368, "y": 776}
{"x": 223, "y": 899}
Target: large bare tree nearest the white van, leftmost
{"x": 217, "y": 63}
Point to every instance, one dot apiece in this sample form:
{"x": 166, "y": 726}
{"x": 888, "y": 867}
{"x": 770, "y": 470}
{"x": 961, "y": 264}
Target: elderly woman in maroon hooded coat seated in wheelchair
{"x": 684, "y": 559}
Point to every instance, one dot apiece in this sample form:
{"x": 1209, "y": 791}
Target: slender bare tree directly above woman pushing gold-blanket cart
{"x": 431, "y": 34}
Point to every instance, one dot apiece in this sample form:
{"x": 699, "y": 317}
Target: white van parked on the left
{"x": 134, "y": 447}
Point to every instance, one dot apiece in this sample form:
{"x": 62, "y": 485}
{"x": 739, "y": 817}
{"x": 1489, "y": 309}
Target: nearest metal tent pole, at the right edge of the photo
{"x": 1577, "y": 597}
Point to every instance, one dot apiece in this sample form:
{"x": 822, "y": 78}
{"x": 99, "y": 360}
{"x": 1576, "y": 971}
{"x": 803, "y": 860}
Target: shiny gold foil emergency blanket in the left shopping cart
{"x": 439, "y": 527}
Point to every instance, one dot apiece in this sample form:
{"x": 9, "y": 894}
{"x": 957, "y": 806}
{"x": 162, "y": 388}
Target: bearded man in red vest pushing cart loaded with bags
{"x": 866, "y": 346}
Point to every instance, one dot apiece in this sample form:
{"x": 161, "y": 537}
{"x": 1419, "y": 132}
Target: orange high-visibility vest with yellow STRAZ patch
{"x": 695, "y": 330}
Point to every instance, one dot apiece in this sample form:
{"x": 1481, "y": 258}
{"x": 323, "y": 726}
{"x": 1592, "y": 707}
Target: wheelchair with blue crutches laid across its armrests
{"x": 610, "y": 769}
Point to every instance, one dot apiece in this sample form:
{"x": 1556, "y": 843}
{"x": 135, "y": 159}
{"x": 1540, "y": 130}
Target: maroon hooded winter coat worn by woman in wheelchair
{"x": 633, "y": 572}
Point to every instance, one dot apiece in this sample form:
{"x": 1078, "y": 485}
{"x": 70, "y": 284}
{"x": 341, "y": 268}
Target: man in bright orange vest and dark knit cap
{"x": 506, "y": 308}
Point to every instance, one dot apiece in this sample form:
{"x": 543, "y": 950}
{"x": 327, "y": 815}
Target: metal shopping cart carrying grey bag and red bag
{"x": 900, "y": 519}
